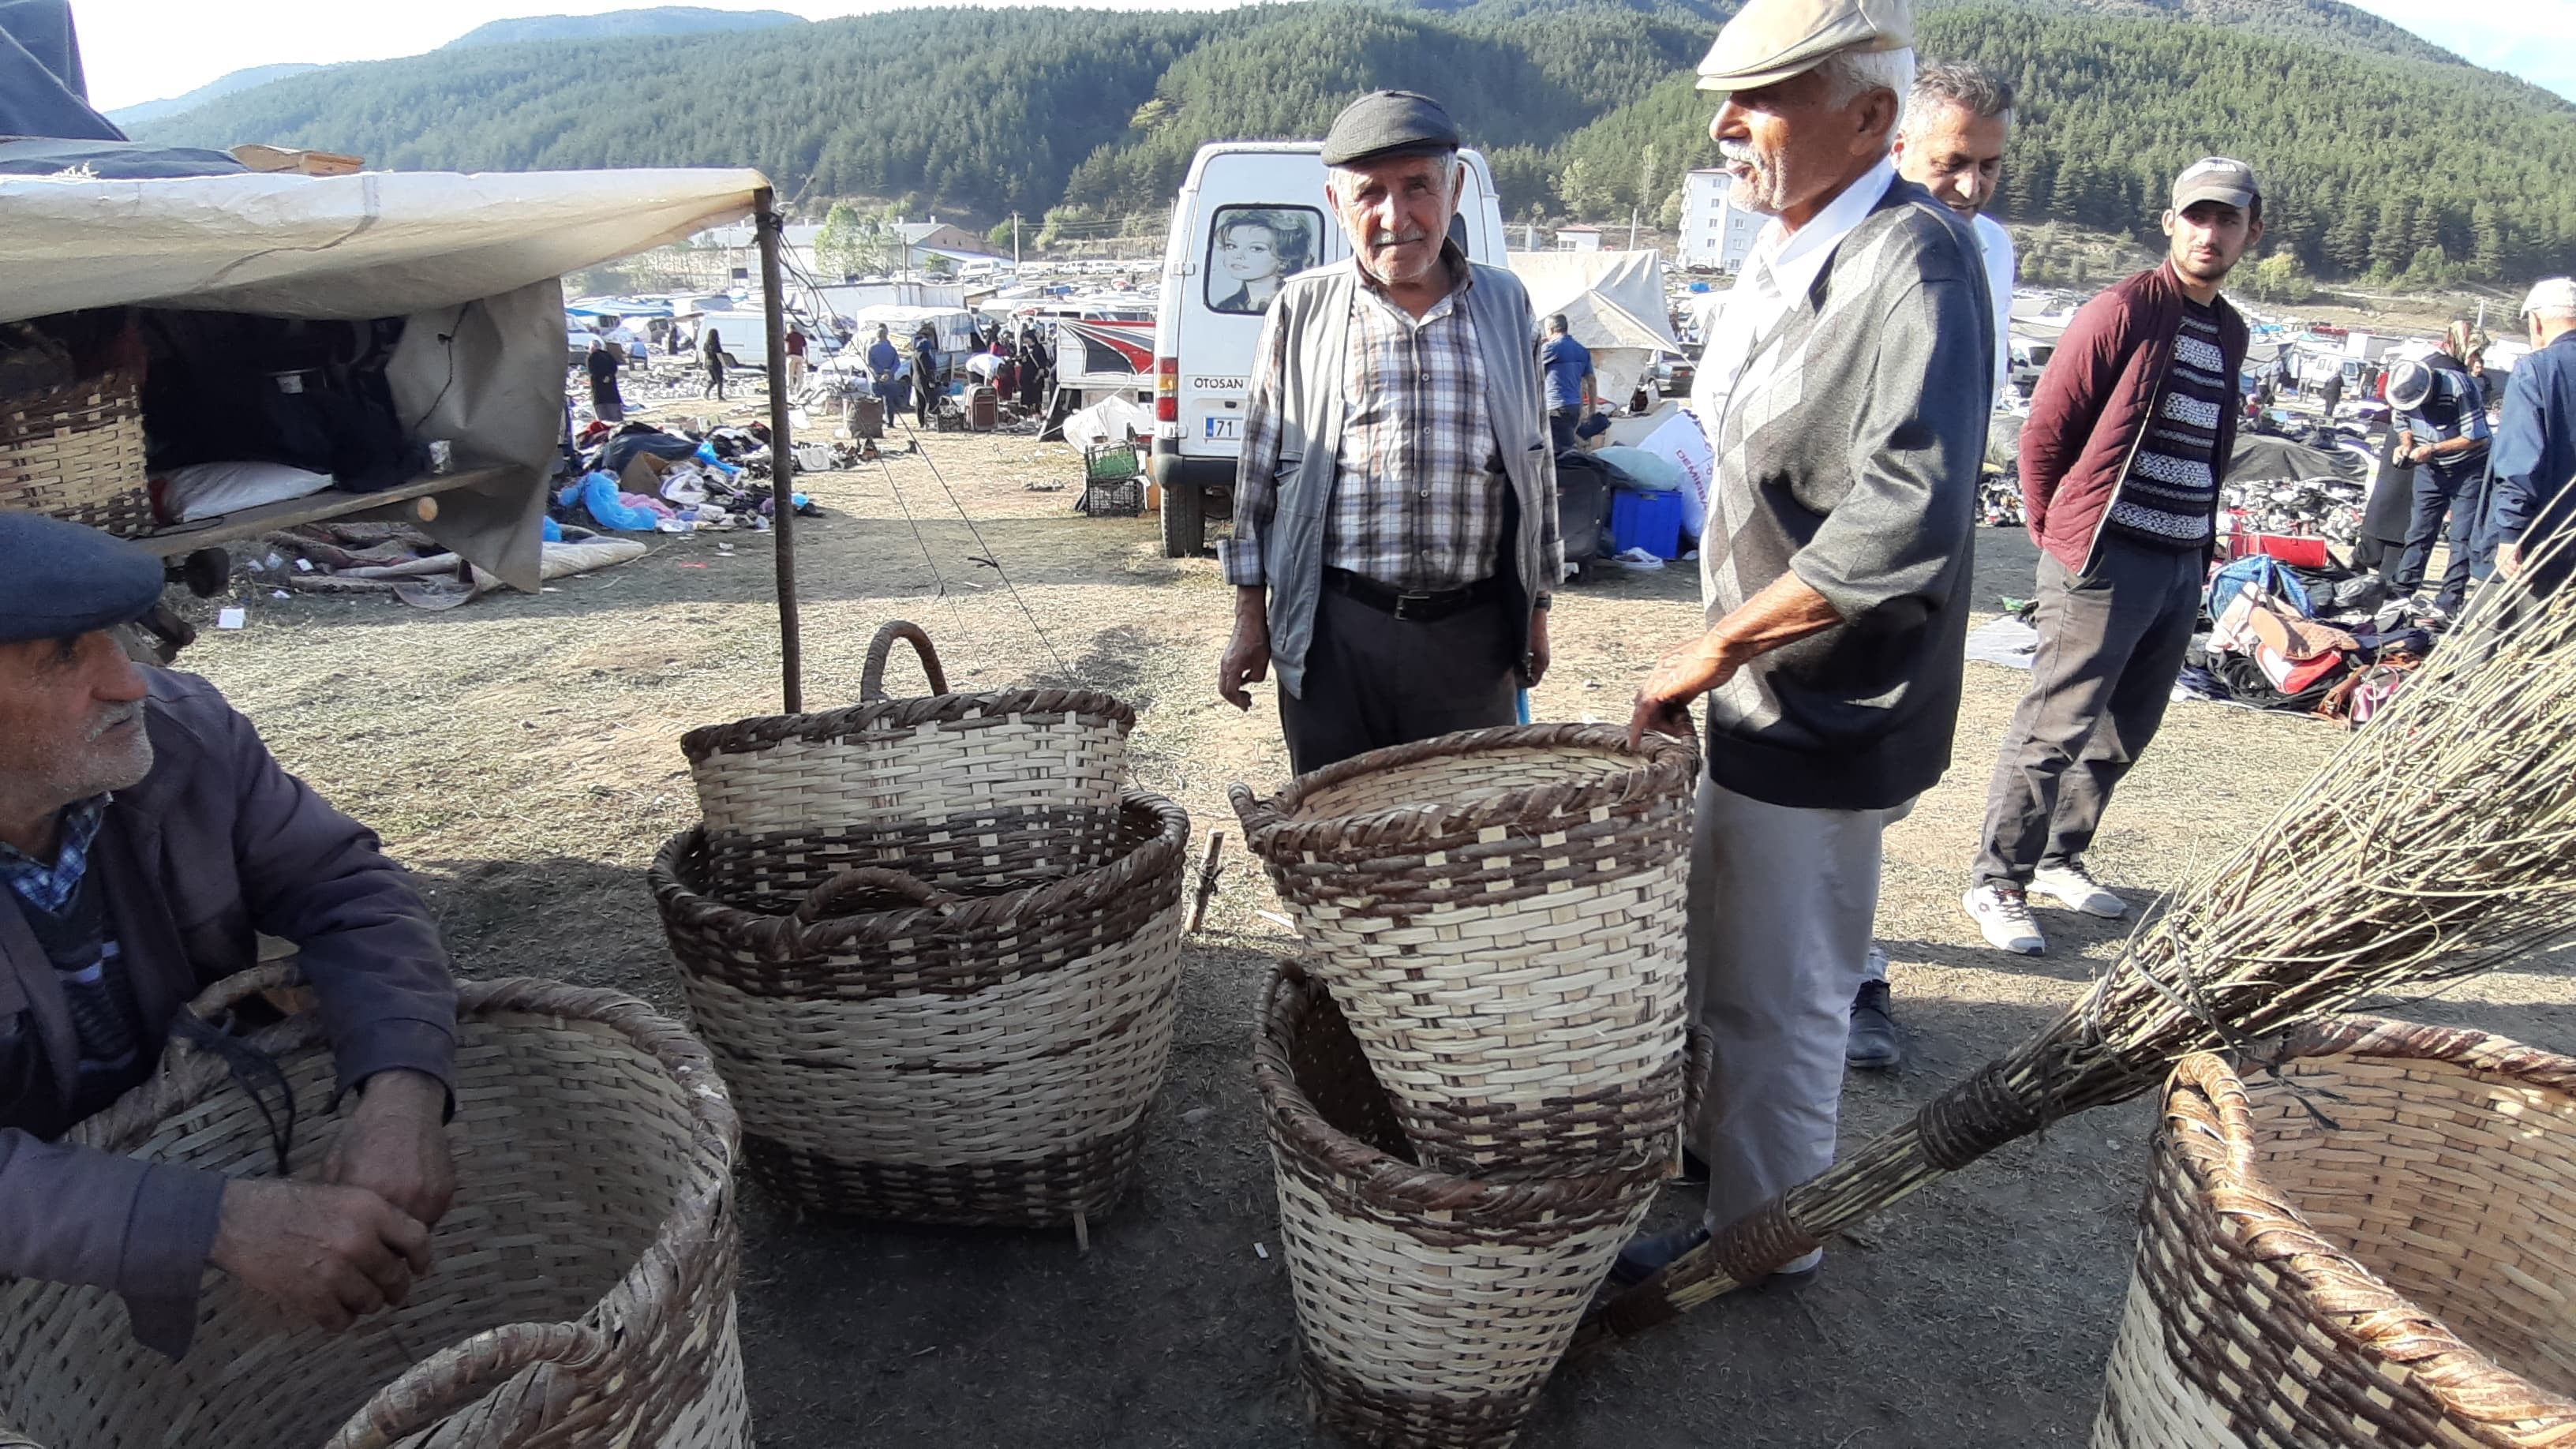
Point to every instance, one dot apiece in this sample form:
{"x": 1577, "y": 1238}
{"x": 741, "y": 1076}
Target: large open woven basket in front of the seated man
{"x": 583, "y": 1283}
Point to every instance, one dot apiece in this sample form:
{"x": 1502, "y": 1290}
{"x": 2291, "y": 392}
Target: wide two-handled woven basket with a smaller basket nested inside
{"x": 905, "y": 1051}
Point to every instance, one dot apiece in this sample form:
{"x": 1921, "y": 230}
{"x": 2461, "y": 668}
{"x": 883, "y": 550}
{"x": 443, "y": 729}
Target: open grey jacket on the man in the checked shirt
{"x": 1292, "y": 540}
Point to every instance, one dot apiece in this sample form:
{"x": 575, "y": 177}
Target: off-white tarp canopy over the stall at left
{"x": 336, "y": 246}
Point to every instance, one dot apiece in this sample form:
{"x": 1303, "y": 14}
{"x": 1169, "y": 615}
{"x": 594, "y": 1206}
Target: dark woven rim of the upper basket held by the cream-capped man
{"x": 1271, "y": 829}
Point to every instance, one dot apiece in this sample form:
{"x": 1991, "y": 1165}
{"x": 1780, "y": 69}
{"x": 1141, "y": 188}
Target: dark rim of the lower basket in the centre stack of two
{"x": 1382, "y": 1180}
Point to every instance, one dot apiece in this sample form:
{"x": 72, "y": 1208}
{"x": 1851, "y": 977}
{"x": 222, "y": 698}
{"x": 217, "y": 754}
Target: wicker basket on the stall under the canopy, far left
{"x": 79, "y": 452}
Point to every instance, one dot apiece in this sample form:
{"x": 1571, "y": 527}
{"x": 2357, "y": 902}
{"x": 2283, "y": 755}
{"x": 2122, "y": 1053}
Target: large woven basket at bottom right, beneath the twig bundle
{"x": 2371, "y": 1249}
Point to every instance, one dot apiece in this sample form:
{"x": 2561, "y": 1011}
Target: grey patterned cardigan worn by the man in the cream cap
{"x": 1848, "y": 455}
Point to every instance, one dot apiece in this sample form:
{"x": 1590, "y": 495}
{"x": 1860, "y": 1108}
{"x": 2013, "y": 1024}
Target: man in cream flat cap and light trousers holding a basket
{"x": 1846, "y": 396}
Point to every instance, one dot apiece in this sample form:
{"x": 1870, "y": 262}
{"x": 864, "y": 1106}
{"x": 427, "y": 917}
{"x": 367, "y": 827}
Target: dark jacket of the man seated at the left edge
{"x": 210, "y": 850}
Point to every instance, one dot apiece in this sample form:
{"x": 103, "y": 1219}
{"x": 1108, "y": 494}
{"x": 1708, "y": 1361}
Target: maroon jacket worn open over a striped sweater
{"x": 2096, "y": 401}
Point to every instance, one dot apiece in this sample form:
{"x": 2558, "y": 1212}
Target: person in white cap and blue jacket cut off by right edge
{"x": 2536, "y": 445}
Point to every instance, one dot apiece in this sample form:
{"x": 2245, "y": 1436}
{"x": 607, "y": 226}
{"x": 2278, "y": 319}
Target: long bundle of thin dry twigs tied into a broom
{"x": 2436, "y": 844}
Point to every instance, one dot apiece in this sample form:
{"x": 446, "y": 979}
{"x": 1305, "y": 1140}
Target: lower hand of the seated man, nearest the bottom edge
{"x": 328, "y": 1254}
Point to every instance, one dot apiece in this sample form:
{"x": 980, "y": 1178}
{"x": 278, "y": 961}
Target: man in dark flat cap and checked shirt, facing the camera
{"x": 1395, "y": 517}
